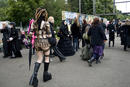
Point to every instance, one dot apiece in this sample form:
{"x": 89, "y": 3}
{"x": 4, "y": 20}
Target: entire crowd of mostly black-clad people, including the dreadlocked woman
{"x": 42, "y": 37}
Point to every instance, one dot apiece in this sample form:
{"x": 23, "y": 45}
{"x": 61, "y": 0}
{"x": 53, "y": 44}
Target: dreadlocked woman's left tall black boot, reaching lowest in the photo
{"x": 33, "y": 79}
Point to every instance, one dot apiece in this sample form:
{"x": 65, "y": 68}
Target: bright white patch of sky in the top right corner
{"x": 124, "y": 7}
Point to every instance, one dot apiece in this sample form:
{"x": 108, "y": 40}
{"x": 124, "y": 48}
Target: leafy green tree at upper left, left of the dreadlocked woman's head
{"x": 21, "y": 10}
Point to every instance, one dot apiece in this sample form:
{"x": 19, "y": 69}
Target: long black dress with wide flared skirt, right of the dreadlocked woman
{"x": 65, "y": 43}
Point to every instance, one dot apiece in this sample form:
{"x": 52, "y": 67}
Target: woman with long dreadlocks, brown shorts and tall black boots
{"x": 42, "y": 30}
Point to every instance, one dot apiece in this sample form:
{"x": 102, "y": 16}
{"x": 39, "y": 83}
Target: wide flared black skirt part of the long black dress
{"x": 65, "y": 46}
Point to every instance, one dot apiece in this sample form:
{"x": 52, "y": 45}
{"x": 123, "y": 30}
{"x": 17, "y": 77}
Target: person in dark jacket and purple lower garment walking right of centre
{"x": 97, "y": 40}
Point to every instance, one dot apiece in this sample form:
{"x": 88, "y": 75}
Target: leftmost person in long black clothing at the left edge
{"x": 5, "y": 40}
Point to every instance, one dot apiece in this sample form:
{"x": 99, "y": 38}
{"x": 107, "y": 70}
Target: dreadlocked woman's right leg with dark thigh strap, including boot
{"x": 46, "y": 76}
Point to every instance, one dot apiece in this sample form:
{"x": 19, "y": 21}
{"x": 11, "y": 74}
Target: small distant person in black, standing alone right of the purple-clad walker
{"x": 111, "y": 30}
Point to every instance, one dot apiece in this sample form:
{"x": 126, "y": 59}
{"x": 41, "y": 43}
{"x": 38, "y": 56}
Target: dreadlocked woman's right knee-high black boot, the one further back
{"x": 46, "y": 75}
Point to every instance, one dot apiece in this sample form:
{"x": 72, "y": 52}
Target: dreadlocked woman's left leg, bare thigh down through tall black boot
{"x": 34, "y": 80}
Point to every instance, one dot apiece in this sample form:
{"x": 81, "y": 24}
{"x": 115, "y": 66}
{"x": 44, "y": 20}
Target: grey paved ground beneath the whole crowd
{"x": 114, "y": 71}
